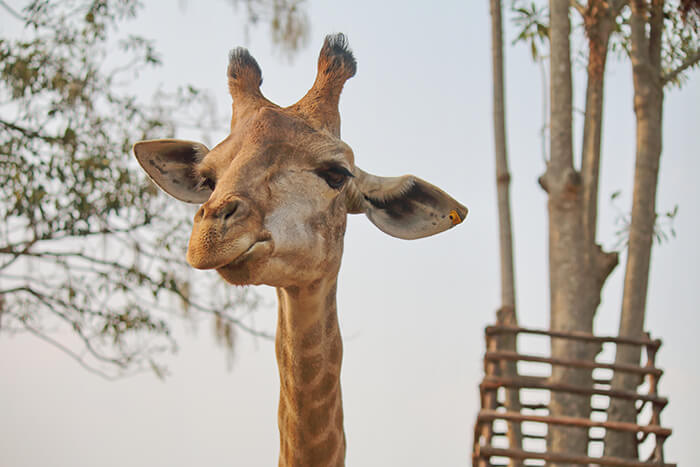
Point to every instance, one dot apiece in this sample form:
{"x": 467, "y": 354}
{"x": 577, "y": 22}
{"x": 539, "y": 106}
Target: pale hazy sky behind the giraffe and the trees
{"x": 412, "y": 313}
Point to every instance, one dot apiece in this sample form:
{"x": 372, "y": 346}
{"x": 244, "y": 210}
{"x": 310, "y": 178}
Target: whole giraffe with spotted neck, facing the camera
{"x": 275, "y": 195}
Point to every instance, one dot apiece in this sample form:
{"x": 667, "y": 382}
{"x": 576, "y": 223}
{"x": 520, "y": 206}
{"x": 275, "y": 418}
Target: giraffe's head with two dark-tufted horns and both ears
{"x": 275, "y": 193}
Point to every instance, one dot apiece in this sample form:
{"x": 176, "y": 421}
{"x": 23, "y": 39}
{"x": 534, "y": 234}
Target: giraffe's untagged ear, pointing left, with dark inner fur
{"x": 171, "y": 164}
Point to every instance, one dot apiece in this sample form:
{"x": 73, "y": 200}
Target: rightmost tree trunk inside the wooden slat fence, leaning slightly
{"x": 648, "y": 106}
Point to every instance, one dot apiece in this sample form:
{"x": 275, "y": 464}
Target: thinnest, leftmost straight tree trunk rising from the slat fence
{"x": 507, "y": 313}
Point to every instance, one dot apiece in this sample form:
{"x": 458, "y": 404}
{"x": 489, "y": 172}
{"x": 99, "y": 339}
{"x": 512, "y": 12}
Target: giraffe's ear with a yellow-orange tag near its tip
{"x": 404, "y": 207}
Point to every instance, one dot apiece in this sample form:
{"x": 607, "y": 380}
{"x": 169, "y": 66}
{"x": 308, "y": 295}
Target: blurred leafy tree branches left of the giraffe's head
{"x": 91, "y": 255}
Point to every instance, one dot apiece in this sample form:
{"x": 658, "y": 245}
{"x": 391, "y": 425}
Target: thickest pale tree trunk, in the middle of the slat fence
{"x": 567, "y": 252}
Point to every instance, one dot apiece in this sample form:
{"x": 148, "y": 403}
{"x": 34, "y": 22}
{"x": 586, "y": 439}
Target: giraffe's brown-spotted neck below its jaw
{"x": 309, "y": 353}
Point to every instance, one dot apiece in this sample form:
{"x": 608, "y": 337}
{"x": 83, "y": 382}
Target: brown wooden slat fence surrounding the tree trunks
{"x": 493, "y": 410}
